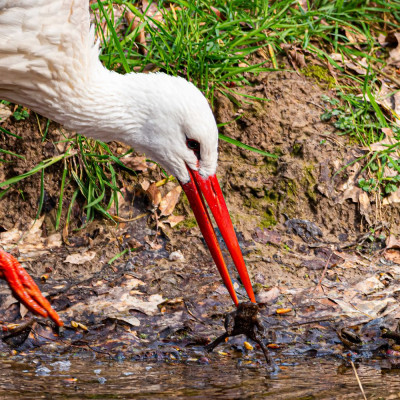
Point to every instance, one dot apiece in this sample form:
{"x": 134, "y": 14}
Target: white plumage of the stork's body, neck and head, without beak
{"x": 49, "y": 63}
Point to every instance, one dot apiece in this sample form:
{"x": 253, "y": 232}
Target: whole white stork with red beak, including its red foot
{"x": 49, "y": 63}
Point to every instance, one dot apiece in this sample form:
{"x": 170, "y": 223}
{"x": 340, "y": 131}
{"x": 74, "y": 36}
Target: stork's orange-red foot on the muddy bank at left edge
{"x": 24, "y": 288}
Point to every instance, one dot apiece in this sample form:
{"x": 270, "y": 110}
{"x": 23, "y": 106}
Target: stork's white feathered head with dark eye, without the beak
{"x": 178, "y": 128}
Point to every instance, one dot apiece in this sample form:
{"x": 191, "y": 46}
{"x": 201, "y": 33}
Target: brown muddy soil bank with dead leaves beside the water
{"x": 303, "y": 224}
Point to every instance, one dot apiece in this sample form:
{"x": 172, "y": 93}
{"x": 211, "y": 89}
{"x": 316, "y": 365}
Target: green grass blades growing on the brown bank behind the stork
{"x": 218, "y": 50}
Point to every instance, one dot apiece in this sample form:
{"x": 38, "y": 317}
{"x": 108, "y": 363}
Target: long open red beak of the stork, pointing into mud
{"x": 210, "y": 189}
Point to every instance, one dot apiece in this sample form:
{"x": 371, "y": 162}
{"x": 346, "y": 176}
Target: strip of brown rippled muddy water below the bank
{"x": 222, "y": 378}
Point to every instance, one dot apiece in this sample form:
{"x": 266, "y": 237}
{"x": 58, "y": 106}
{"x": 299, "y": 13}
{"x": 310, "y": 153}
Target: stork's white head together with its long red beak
{"x": 178, "y": 131}
